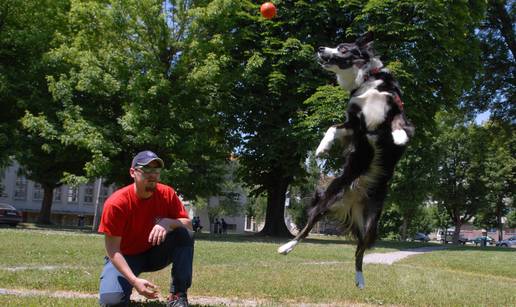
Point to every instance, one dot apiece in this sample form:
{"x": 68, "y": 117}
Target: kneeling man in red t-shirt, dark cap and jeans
{"x": 146, "y": 227}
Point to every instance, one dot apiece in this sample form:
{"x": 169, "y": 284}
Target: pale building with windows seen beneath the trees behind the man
{"x": 76, "y": 205}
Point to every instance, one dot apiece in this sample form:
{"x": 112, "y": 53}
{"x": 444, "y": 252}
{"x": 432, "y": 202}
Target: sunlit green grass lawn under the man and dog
{"x": 320, "y": 270}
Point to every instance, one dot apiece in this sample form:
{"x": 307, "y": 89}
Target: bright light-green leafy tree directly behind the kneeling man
{"x": 121, "y": 85}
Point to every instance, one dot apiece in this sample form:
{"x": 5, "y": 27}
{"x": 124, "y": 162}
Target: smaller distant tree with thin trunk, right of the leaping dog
{"x": 460, "y": 148}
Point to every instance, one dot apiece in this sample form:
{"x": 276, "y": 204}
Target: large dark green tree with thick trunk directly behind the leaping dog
{"x": 265, "y": 72}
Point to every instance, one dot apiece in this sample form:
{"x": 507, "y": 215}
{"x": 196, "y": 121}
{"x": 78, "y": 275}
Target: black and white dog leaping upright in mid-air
{"x": 376, "y": 133}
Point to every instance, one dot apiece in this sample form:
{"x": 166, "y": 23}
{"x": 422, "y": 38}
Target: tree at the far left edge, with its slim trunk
{"x": 26, "y": 35}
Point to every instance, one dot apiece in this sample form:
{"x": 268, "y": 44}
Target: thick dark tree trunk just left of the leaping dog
{"x": 275, "y": 215}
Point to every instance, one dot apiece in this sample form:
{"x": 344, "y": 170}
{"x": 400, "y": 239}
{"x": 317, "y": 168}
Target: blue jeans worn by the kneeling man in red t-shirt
{"x": 177, "y": 249}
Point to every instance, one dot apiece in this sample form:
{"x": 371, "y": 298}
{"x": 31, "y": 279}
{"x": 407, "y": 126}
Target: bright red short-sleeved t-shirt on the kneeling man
{"x": 127, "y": 216}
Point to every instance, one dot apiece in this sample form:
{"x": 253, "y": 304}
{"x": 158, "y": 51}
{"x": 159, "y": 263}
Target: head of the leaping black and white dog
{"x": 347, "y": 60}
